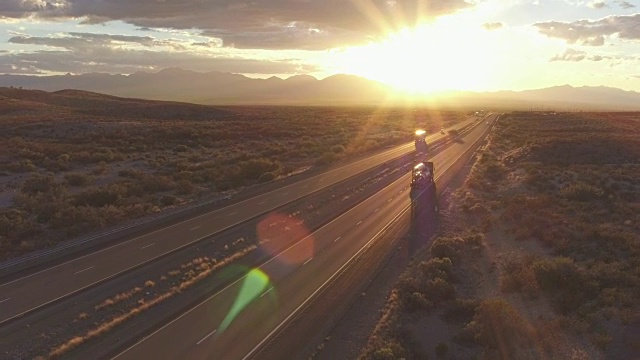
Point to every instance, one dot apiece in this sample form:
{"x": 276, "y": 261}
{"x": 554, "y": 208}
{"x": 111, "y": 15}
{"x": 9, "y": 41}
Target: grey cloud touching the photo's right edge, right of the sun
{"x": 593, "y": 33}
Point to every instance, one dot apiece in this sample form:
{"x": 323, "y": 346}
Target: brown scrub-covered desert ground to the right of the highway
{"x": 537, "y": 257}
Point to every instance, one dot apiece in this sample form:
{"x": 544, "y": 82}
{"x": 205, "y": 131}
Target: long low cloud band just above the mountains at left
{"x": 87, "y": 52}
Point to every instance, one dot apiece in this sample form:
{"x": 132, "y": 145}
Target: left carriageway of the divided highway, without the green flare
{"x": 31, "y": 292}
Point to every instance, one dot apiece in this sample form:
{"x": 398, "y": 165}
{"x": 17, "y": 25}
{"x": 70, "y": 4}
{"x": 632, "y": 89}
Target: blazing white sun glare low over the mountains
{"x": 436, "y": 57}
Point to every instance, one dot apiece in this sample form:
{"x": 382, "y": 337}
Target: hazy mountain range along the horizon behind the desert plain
{"x": 218, "y": 88}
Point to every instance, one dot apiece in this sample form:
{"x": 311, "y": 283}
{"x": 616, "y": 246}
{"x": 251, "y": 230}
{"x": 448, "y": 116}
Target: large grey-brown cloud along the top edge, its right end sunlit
{"x": 276, "y": 24}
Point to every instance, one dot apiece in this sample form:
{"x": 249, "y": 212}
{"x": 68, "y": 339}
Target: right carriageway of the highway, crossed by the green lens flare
{"x": 278, "y": 290}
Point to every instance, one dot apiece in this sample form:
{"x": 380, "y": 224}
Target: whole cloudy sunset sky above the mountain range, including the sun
{"x": 414, "y": 45}
